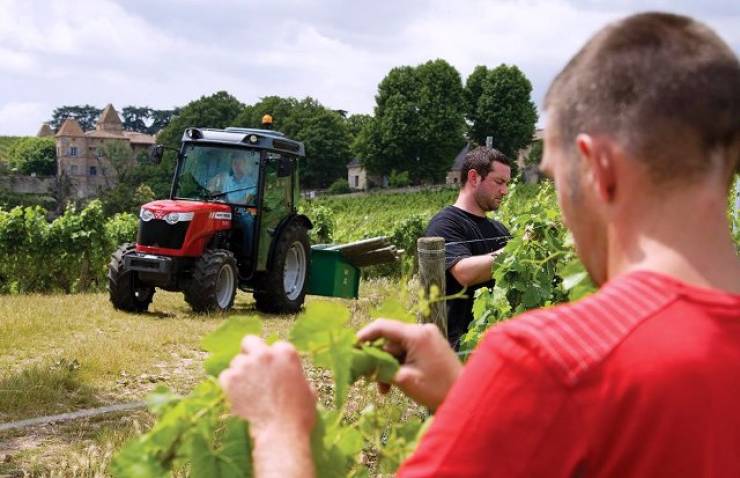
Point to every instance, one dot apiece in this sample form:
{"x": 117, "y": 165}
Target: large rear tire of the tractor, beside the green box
{"x": 283, "y": 289}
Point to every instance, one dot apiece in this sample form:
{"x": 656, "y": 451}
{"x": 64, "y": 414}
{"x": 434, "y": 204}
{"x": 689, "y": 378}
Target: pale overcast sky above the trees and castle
{"x": 165, "y": 53}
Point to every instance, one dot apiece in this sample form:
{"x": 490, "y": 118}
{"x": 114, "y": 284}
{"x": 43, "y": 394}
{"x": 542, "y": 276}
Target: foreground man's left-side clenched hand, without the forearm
{"x": 266, "y": 386}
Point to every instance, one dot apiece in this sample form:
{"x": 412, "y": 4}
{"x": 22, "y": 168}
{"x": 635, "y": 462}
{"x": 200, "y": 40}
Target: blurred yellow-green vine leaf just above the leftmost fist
{"x": 225, "y": 342}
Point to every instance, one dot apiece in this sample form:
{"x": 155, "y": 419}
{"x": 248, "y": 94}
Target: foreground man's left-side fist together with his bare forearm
{"x": 266, "y": 386}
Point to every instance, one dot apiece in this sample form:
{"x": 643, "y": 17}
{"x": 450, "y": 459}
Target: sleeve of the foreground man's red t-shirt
{"x": 506, "y": 416}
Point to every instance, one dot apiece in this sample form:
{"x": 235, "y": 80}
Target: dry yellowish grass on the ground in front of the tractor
{"x": 61, "y": 353}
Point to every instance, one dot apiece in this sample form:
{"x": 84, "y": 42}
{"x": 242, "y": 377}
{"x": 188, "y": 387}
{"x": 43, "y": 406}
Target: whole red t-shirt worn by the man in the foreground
{"x": 642, "y": 379}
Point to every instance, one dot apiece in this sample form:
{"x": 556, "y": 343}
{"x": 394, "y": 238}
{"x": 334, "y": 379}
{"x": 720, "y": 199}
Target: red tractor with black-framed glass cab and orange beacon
{"x": 230, "y": 222}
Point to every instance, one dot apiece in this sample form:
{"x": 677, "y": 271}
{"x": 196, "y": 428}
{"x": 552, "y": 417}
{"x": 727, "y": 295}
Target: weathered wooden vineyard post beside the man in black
{"x": 431, "y": 254}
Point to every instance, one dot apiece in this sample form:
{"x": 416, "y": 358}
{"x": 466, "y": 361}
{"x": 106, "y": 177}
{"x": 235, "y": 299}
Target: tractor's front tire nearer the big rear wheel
{"x": 213, "y": 285}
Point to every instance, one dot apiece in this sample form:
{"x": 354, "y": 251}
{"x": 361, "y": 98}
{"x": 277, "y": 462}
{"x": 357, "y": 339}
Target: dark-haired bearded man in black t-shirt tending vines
{"x": 471, "y": 239}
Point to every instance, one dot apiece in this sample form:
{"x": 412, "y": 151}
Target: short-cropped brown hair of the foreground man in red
{"x": 664, "y": 86}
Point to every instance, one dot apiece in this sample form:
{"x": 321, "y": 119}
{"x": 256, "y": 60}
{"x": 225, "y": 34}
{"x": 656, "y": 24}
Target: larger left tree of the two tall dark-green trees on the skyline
{"x": 418, "y": 123}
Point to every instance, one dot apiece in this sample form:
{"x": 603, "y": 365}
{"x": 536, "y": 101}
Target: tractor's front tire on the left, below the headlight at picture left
{"x": 124, "y": 289}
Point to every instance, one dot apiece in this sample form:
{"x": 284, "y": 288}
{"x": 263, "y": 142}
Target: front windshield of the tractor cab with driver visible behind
{"x": 218, "y": 173}
